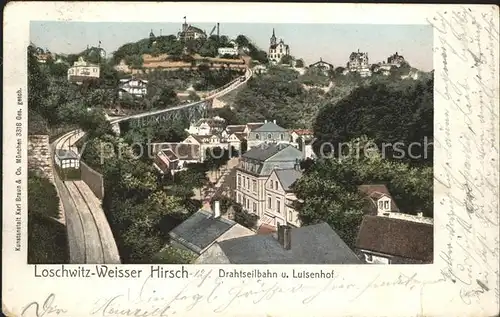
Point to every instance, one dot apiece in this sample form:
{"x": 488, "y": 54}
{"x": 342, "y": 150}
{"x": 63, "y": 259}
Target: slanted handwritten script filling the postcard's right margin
{"x": 468, "y": 171}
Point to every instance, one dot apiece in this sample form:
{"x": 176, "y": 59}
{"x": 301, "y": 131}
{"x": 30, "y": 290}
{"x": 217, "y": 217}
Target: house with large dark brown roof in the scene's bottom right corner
{"x": 386, "y": 240}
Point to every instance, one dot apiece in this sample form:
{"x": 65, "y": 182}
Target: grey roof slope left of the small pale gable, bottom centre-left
{"x": 200, "y": 230}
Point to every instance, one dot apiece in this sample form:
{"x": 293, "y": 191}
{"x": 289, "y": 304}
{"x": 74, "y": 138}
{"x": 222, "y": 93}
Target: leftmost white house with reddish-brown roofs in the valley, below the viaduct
{"x": 172, "y": 157}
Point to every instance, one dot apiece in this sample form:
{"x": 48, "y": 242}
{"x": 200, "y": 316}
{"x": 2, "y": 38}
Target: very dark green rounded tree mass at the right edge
{"x": 393, "y": 115}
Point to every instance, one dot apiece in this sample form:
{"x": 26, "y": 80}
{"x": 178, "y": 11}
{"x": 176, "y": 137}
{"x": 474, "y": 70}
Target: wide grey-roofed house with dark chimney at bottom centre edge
{"x": 315, "y": 244}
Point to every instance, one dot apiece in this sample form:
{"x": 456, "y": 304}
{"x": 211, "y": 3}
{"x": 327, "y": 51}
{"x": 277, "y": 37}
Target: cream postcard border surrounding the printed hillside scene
{"x": 393, "y": 290}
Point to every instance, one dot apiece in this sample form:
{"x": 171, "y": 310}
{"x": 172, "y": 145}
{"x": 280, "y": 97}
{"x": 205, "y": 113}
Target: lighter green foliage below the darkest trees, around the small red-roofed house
{"x": 329, "y": 188}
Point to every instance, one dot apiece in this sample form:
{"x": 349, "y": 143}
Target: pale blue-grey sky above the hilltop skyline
{"x": 332, "y": 43}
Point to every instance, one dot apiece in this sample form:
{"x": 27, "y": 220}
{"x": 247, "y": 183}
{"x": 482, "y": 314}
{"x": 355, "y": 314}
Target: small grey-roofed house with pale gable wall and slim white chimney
{"x": 197, "y": 233}
